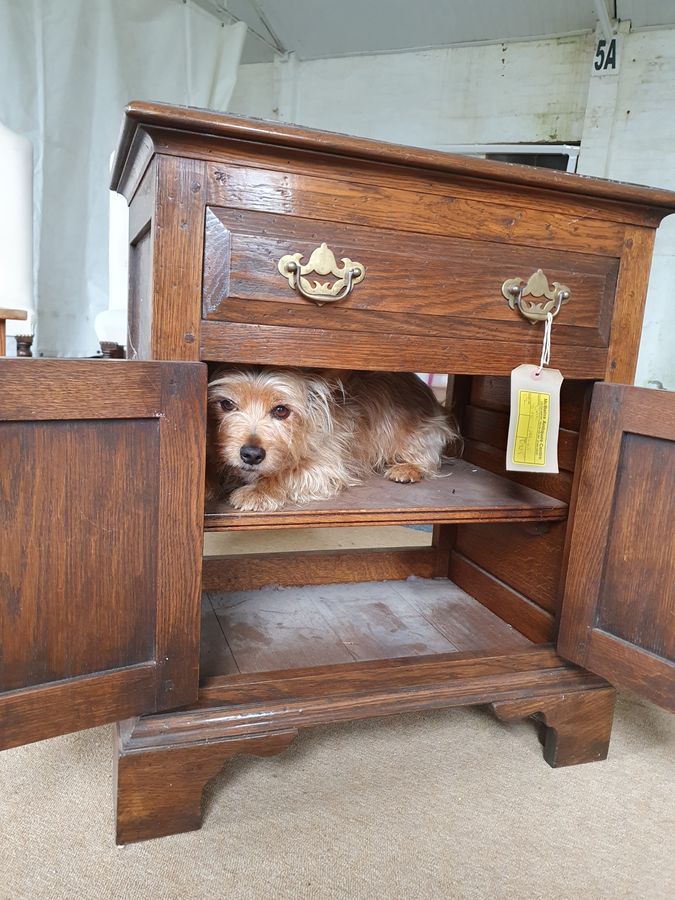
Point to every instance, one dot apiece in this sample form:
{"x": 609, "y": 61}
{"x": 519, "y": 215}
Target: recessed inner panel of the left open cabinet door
{"x": 93, "y": 583}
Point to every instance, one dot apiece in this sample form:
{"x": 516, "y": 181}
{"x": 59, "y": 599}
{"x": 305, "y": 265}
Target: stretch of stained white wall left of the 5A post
{"x": 493, "y": 93}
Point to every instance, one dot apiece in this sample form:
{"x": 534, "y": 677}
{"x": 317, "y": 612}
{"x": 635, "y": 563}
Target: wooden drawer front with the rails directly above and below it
{"x": 434, "y": 269}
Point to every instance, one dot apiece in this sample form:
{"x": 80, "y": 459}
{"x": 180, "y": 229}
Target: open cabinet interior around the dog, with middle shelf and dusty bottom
{"x": 484, "y": 580}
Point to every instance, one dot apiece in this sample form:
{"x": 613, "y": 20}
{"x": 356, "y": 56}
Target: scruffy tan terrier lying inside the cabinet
{"x": 279, "y": 436}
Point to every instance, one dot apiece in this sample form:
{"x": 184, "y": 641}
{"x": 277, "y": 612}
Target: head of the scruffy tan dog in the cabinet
{"x": 264, "y": 422}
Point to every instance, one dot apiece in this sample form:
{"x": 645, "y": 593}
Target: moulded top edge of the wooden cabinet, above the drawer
{"x": 143, "y": 116}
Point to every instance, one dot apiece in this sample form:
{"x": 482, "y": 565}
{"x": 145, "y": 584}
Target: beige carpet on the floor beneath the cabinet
{"x": 450, "y": 804}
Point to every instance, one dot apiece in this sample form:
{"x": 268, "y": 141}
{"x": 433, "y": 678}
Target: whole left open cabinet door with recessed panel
{"x": 101, "y": 520}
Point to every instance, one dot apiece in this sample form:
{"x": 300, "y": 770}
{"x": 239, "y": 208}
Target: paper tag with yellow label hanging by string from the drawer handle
{"x": 532, "y": 444}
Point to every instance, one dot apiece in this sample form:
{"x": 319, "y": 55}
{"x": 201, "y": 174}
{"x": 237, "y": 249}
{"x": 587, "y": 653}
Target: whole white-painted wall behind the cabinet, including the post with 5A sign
{"x": 530, "y": 92}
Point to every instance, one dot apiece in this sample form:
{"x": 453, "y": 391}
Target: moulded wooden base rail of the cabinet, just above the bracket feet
{"x": 259, "y": 703}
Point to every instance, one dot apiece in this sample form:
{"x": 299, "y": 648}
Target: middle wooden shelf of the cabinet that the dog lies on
{"x": 465, "y": 493}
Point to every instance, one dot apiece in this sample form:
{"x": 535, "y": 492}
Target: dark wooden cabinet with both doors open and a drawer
{"x": 536, "y": 587}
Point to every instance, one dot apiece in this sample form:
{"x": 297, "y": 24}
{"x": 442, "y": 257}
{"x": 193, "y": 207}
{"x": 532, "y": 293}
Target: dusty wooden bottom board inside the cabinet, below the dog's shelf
{"x": 289, "y": 628}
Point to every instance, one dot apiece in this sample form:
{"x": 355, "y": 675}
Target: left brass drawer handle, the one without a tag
{"x": 321, "y": 262}
